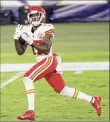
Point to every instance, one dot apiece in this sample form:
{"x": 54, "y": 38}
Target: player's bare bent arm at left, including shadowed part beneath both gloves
{"x": 20, "y": 46}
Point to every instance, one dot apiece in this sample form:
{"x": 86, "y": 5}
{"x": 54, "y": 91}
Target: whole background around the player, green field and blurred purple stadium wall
{"x": 81, "y": 36}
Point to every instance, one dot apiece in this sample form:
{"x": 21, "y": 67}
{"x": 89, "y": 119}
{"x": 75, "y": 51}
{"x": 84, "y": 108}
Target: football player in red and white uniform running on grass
{"x": 39, "y": 36}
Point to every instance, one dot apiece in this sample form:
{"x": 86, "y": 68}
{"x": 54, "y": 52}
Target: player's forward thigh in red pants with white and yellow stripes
{"x": 42, "y": 69}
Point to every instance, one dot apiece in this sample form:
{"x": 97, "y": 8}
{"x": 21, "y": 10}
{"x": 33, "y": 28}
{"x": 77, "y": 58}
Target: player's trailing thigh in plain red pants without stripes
{"x": 56, "y": 81}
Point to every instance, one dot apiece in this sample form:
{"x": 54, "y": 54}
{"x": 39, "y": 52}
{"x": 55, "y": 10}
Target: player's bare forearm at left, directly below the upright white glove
{"x": 20, "y": 49}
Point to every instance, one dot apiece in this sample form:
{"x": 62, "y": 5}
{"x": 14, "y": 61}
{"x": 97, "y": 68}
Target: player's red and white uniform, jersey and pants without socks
{"x": 47, "y": 66}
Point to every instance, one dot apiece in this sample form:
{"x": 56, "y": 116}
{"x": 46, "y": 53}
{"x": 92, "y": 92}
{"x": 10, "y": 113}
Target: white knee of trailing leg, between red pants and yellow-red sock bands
{"x": 67, "y": 91}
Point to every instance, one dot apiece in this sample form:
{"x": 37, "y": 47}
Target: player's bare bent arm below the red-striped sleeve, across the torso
{"x": 46, "y": 44}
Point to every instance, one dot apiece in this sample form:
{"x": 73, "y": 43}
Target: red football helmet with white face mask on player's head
{"x": 36, "y": 15}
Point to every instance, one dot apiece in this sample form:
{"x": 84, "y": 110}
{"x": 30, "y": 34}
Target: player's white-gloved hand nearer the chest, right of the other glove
{"x": 27, "y": 37}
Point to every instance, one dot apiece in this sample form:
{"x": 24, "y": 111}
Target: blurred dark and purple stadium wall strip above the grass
{"x": 14, "y": 12}
